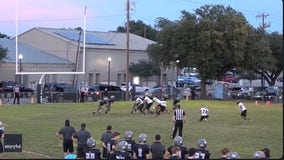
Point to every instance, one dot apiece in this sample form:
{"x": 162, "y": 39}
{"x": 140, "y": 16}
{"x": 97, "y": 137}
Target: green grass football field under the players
{"x": 38, "y": 124}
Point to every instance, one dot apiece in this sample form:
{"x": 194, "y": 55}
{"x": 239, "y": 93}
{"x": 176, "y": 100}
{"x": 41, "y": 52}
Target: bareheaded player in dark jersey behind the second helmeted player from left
{"x": 111, "y": 145}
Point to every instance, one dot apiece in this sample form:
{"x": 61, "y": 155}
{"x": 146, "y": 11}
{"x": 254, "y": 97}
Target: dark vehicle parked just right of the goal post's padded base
{"x": 60, "y": 92}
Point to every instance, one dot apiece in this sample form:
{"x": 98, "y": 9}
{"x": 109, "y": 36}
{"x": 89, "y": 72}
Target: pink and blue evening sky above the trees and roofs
{"x": 107, "y": 15}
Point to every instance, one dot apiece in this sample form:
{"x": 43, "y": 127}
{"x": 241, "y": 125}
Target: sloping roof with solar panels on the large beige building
{"x": 102, "y": 40}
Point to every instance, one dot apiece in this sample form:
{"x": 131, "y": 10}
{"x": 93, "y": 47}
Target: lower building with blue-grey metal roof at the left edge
{"x": 33, "y": 60}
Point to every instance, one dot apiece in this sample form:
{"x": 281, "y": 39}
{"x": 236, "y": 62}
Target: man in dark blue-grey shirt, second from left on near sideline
{"x": 80, "y": 137}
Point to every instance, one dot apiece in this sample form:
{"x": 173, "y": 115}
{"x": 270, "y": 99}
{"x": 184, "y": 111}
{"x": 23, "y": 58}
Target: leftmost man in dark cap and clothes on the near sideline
{"x": 65, "y": 134}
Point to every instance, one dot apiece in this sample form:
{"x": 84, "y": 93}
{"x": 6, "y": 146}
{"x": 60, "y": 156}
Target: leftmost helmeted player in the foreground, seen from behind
{"x": 91, "y": 152}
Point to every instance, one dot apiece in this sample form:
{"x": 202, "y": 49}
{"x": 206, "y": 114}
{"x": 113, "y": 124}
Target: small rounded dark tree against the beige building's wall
{"x": 144, "y": 69}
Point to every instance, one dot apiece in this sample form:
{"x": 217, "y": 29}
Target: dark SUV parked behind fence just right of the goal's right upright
{"x": 98, "y": 91}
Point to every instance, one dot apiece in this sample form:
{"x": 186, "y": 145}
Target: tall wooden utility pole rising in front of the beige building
{"x": 127, "y": 51}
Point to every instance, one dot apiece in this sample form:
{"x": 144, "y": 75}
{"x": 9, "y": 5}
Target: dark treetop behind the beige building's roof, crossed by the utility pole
{"x": 140, "y": 28}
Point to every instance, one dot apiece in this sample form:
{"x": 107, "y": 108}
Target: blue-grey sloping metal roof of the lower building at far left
{"x": 30, "y": 54}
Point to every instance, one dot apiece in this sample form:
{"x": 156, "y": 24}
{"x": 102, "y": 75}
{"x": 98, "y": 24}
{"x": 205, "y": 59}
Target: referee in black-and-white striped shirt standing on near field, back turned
{"x": 179, "y": 120}
